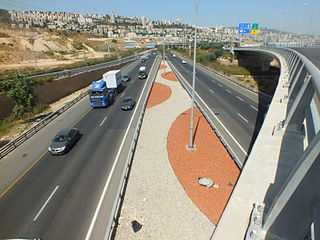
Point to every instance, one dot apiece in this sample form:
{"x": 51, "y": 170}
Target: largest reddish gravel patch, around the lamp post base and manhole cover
{"x": 210, "y": 159}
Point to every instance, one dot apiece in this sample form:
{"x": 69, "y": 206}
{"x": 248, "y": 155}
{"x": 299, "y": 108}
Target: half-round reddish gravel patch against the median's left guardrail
{"x": 159, "y": 93}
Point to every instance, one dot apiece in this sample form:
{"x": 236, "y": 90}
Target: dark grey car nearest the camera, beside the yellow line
{"x": 64, "y": 140}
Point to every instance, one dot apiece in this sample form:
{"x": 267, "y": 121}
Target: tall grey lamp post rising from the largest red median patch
{"x": 191, "y": 143}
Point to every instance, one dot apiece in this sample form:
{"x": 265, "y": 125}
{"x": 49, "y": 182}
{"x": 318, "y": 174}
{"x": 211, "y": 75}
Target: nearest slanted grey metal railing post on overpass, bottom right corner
{"x": 291, "y": 213}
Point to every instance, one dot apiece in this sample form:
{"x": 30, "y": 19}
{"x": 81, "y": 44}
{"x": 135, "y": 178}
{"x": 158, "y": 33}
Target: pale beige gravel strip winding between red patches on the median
{"x": 155, "y": 204}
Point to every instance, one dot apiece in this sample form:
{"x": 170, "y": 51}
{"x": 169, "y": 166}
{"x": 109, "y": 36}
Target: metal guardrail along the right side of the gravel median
{"x": 204, "y": 110}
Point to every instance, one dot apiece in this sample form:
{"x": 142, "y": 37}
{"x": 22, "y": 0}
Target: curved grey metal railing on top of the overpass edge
{"x": 302, "y": 123}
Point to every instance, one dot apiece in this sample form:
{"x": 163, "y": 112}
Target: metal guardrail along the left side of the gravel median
{"x": 120, "y": 193}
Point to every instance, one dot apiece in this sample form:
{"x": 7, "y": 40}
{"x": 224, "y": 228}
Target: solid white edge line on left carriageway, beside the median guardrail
{"x": 94, "y": 219}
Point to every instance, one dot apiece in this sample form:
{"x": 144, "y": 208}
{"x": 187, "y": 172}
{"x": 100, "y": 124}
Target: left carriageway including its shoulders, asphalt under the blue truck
{"x": 56, "y": 197}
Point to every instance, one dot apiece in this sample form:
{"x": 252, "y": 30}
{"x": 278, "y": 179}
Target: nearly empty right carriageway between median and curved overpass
{"x": 240, "y": 111}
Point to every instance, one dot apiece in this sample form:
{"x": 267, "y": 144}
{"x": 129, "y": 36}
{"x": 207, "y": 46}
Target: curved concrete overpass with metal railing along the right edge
{"x": 278, "y": 193}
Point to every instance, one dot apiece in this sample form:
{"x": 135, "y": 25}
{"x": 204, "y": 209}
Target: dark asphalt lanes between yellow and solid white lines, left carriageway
{"x": 79, "y": 174}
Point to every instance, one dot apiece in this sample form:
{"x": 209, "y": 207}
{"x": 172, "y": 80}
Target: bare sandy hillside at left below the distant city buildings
{"x": 30, "y": 49}
